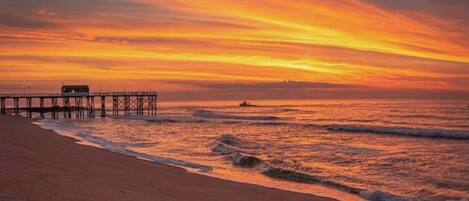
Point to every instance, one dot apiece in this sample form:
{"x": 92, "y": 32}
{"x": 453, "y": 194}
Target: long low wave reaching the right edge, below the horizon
{"x": 401, "y": 131}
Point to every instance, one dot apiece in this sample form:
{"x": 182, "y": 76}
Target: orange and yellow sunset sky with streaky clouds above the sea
{"x": 229, "y": 47}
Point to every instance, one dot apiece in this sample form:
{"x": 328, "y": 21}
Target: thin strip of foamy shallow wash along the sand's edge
{"x": 315, "y": 189}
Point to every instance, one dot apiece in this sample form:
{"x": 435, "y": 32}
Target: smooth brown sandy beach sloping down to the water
{"x": 37, "y": 164}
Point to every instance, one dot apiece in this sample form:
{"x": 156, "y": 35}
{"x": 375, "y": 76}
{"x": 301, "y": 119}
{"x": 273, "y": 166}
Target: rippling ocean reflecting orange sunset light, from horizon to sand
{"x": 380, "y": 150}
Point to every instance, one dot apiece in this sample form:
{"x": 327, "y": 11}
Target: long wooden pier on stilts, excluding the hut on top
{"x": 81, "y": 105}
